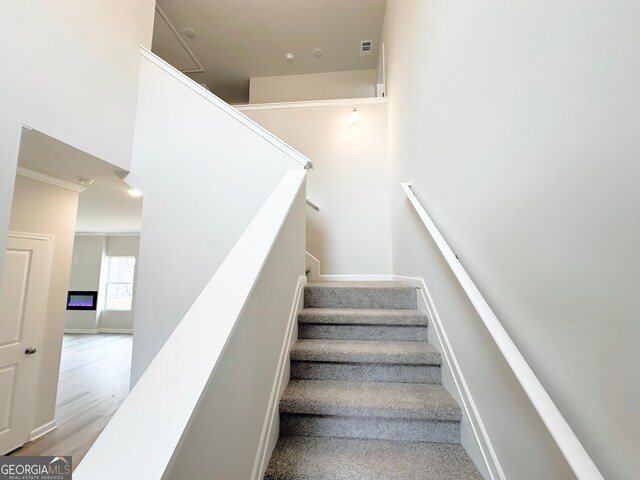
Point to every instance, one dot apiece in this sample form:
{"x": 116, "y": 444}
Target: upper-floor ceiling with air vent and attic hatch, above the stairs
{"x": 239, "y": 39}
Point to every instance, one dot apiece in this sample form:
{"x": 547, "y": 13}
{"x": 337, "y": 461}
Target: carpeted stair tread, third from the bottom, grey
{"x": 365, "y": 351}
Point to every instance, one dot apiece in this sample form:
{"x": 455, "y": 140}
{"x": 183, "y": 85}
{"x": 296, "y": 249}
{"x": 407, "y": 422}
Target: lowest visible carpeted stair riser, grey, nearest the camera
{"x": 370, "y": 428}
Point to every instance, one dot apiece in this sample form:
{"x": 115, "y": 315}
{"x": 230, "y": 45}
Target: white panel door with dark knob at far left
{"x": 23, "y": 299}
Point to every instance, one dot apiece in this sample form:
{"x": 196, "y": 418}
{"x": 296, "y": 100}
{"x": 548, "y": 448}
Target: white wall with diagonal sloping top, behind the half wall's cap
{"x": 204, "y": 175}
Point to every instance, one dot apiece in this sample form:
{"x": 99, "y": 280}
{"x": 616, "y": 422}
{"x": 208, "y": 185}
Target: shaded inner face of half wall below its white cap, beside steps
{"x": 226, "y": 434}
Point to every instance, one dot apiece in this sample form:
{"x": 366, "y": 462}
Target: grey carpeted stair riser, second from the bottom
{"x": 358, "y": 372}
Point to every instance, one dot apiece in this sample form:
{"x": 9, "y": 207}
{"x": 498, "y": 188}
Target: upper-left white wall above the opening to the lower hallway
{"x": 73, "y": 75}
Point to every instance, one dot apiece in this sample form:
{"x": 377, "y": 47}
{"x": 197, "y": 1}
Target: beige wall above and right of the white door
{"x": 42, "y": 208}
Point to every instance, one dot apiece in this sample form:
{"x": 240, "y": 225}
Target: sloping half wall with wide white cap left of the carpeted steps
{"x": 221, "y": 365}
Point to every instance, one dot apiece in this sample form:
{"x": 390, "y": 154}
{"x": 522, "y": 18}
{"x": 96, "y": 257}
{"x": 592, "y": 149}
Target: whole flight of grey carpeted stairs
{"x": 365, "y": 401}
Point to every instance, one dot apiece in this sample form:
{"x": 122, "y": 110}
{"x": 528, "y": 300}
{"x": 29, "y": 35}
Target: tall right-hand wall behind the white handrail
{"x": 518, "y": 126}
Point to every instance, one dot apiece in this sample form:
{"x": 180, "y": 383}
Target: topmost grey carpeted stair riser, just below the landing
{"x": 370, "y": 298}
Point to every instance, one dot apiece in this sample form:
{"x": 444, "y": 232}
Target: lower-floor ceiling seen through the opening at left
{"x": 105, "y": 206}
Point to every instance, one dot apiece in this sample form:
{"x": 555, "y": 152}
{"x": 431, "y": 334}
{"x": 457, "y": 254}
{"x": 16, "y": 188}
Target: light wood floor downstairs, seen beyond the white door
{"x": 94, "y": 380}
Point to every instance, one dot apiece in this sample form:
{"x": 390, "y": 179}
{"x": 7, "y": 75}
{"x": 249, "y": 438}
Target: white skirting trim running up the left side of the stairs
{"x": 270, "y": 429}
